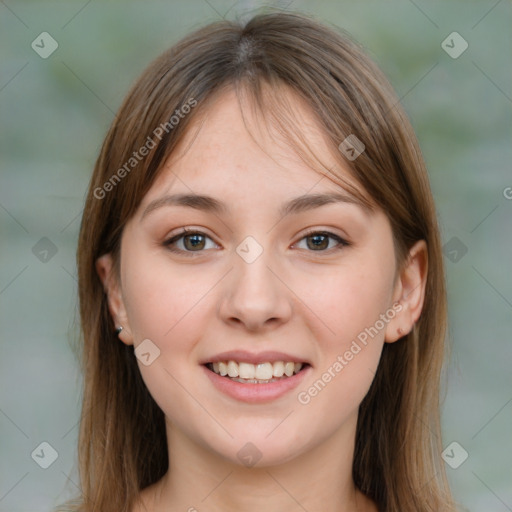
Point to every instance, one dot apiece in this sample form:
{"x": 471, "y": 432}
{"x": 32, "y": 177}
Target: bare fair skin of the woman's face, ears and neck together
{"x": 293, "y": 298}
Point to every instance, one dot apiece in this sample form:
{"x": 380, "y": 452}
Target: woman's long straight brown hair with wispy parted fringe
{"x": 123, "y": 445}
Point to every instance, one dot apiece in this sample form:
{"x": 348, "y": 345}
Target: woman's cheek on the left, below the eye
{"x": 170, "y": 308}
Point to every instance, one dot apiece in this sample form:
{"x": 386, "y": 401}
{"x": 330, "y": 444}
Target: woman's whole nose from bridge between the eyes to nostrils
{"x": 254, "y": 295}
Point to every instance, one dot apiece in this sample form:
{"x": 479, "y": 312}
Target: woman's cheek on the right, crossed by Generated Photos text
{"x": 352, "y": 310}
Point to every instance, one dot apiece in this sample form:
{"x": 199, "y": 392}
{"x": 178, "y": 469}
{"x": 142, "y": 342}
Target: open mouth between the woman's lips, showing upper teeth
{"x": 261, "y": 373}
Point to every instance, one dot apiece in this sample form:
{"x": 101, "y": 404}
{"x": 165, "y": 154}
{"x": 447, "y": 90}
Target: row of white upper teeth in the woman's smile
{"x": 256, "y": 372}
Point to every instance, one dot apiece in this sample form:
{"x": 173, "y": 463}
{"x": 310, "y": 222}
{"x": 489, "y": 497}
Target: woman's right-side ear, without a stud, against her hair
{"x": 409, "y": 292}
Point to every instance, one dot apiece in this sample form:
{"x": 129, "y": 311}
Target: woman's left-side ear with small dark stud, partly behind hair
{"x": 105, "y": 269}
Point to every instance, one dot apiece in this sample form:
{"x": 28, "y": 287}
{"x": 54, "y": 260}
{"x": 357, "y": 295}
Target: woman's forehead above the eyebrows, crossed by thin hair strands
{"x": 234, "y": 144}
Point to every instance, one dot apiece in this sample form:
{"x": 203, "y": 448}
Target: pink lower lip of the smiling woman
{"x": 256, "y": 393}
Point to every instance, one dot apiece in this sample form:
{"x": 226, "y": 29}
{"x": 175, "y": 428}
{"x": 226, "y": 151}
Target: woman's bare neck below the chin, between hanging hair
{"x": 200, "y": 479}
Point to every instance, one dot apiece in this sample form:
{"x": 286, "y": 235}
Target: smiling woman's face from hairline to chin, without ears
{"x": 279, "y": 270}
